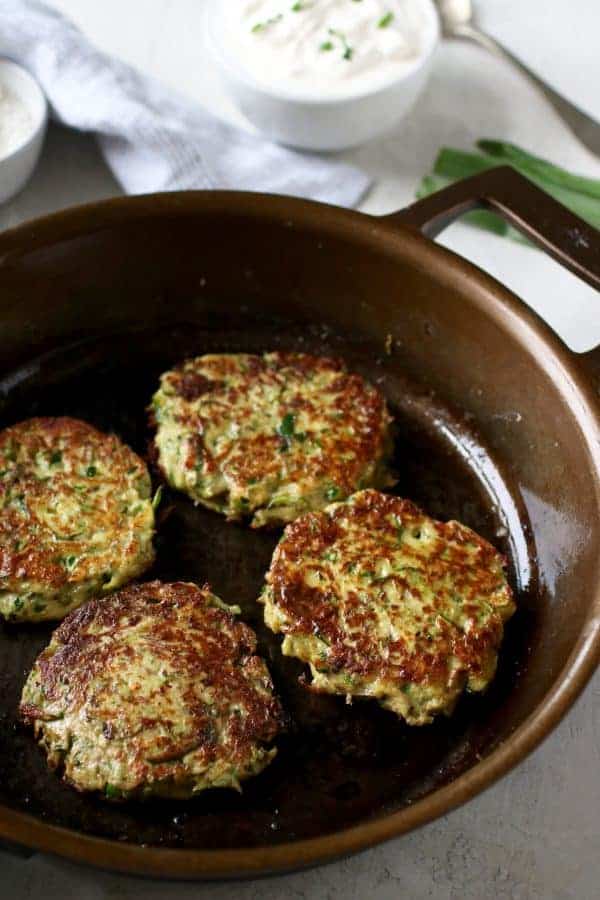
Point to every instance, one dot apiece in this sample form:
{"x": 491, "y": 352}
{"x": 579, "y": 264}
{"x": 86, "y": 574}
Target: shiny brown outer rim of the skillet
{"x": 567, "y": 375}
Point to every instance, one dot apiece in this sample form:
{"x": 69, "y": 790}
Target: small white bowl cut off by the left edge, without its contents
{"x": 16, "y": 168}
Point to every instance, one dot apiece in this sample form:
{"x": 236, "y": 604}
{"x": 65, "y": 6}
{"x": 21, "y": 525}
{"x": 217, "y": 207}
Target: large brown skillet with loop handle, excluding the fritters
{"x": 499, "y": 425}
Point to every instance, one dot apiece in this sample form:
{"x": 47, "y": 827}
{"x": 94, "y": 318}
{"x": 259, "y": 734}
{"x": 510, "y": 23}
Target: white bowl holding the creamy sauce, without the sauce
{"x": 309, "y": 122}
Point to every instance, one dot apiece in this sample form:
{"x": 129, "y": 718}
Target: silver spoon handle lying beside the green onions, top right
{"x": 584, "y": 127}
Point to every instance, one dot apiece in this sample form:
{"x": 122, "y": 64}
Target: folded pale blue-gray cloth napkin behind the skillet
{"x": 151, "y": 138}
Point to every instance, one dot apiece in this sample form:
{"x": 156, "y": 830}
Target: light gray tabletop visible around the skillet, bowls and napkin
{"x": 536, "y": 834}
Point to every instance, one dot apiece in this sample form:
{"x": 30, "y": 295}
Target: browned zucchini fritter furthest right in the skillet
{"x": 382, "y": 601}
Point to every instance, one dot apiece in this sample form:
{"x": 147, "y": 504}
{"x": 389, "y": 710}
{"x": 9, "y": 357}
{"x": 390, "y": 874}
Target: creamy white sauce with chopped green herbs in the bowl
{"x": 328, "y": 48}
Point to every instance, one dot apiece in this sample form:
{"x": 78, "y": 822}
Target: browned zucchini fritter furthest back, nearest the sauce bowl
{"x": 269, "y": 437}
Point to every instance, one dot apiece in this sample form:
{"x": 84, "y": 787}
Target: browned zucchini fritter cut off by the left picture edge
{"x": 76, "y": 517}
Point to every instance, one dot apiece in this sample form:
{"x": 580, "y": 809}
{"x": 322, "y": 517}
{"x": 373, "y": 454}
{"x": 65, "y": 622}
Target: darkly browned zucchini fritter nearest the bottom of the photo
{"x": 153, "y": 691}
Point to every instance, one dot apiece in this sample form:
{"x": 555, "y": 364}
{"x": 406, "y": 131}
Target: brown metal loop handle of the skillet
{"x": 562, "y": 234}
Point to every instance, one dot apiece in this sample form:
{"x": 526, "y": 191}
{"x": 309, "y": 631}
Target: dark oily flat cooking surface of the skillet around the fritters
{"x": 338, "y": 764}
